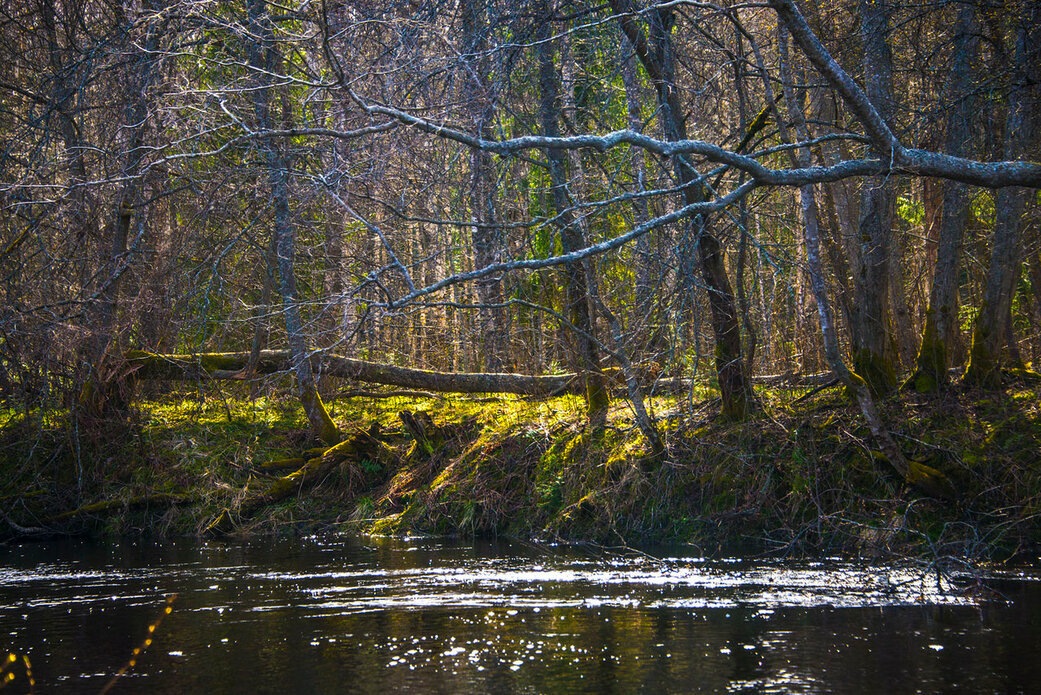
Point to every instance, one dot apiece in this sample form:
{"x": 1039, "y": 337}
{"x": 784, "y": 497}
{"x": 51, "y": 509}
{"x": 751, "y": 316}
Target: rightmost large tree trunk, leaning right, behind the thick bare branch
{"x": 989, "y": 330}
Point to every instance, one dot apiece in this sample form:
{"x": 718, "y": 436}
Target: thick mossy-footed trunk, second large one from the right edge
{"x": 942, "y": 317}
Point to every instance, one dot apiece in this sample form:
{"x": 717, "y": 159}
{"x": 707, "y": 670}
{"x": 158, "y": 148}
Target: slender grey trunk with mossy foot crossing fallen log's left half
{"x": 264, "y": 58}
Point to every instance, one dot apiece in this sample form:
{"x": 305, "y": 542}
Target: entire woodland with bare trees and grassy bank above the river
{"x": 628, "y": 270}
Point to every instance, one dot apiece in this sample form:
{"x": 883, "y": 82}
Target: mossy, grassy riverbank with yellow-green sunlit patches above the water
{"x": 797, "y": 478}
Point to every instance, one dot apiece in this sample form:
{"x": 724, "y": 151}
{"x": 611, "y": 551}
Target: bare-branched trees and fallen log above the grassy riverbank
{"x": 626, "y": 197}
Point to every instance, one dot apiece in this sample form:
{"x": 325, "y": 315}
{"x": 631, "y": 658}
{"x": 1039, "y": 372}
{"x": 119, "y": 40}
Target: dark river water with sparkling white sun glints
{"x": 425, "y": 616}
